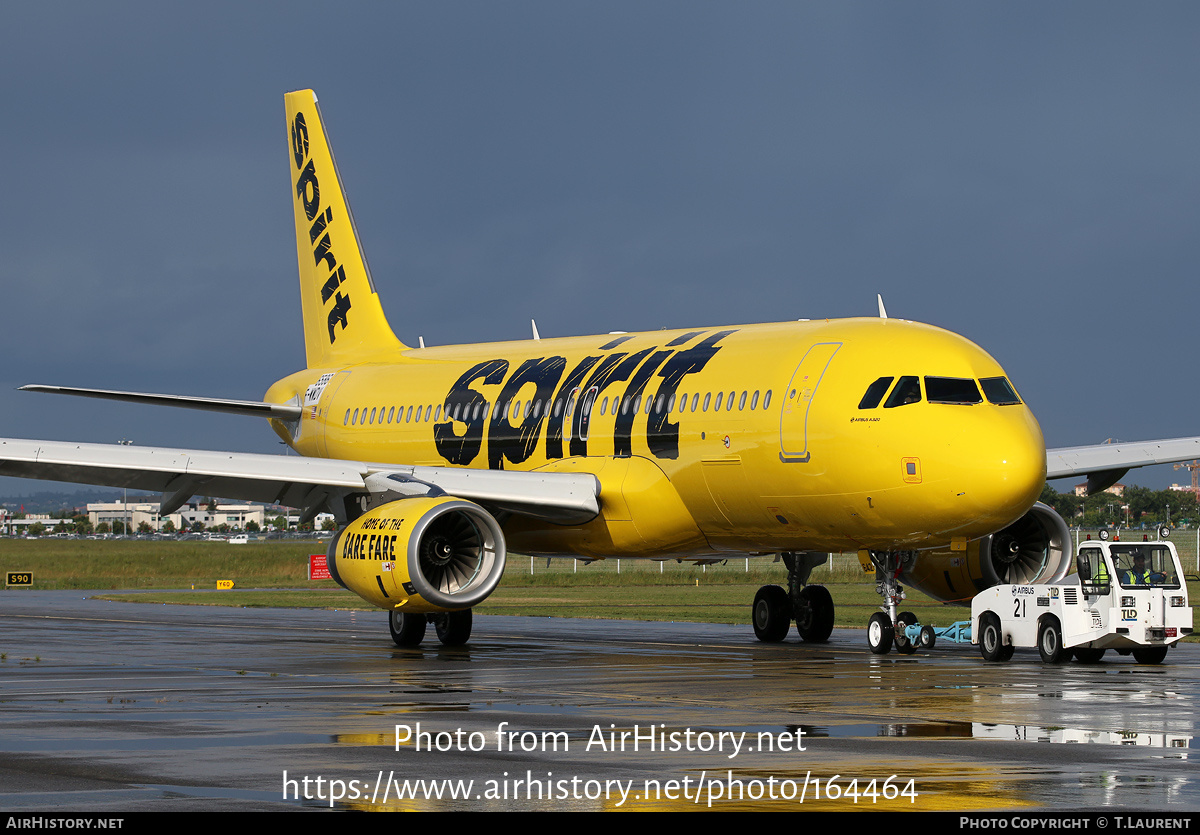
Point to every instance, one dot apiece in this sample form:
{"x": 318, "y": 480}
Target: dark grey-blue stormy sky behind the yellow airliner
{"x": 1025, "y": 175}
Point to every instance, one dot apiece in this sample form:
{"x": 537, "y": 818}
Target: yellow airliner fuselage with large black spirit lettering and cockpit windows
{"x": 749, "y": 438}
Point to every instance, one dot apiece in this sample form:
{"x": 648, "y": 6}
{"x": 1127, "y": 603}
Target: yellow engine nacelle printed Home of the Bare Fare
{"x": 421, "y": 555}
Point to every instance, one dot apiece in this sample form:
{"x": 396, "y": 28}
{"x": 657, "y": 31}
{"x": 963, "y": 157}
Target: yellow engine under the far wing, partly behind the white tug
{"x": 1035, "y": 549}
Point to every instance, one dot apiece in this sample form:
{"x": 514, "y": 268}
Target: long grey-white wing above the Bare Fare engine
{"x": 313, "y": 484}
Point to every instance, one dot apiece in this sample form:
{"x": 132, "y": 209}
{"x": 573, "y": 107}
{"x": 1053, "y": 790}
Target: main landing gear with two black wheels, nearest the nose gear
{"x": 809, "y": 606}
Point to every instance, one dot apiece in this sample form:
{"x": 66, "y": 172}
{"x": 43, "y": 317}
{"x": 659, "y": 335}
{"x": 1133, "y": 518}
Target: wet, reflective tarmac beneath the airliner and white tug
{"x": 125, "y": 707}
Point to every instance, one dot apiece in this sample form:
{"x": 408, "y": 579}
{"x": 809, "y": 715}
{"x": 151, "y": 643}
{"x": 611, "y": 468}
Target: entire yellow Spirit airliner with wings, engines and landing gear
{"x": 899, "y": 441}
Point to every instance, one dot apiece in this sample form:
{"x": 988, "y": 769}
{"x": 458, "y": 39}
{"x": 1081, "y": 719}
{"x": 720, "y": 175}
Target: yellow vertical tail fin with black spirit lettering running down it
{"x": 344, "y": 321}
